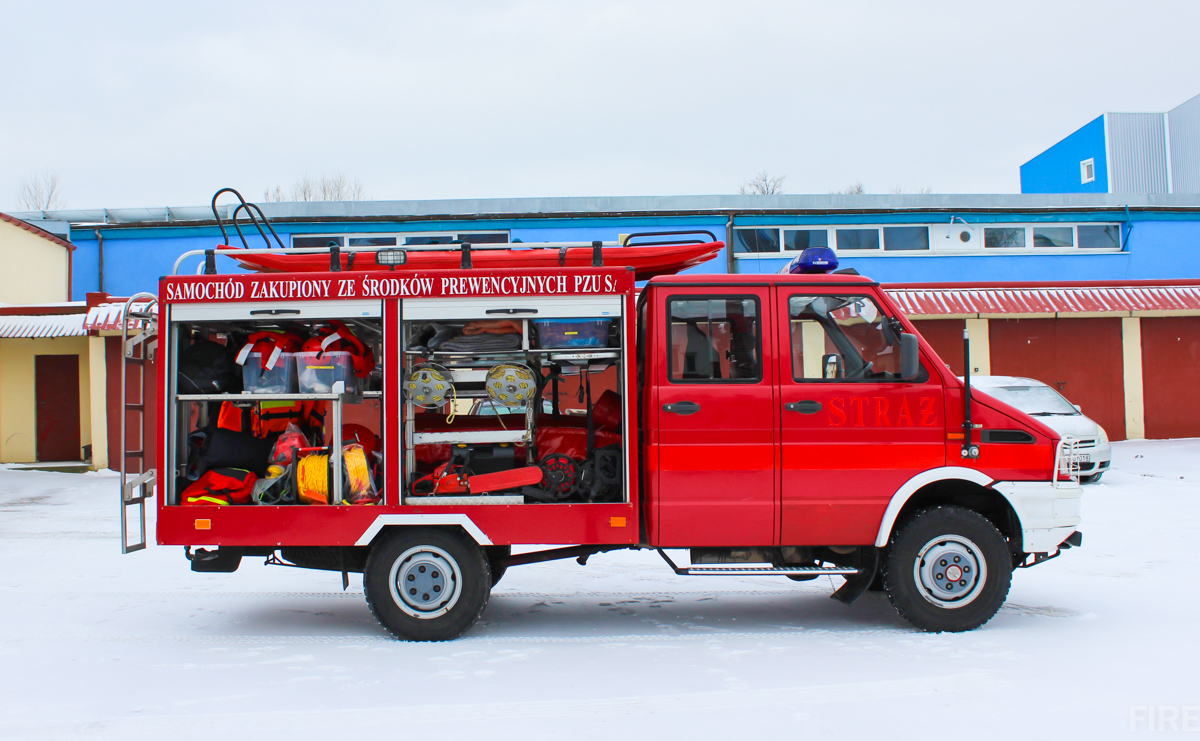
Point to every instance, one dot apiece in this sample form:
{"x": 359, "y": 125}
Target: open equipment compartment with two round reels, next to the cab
{"x": 497, "y": 412}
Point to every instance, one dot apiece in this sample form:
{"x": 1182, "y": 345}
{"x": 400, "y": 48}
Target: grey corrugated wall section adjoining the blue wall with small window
{"x": 1137, "y": 153}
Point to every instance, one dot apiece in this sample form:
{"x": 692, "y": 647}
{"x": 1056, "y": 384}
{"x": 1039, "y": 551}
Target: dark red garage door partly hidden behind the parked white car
{"x": 1081, "y": 358}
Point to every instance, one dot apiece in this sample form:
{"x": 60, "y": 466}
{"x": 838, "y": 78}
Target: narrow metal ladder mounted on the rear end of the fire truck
{"x": 137, "y": 486}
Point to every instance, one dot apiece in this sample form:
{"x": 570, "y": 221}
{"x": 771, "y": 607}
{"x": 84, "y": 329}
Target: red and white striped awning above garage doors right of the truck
{"x": 944, "y": 302}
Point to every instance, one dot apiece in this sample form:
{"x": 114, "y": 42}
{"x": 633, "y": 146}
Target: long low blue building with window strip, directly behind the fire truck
{"x": 897, "y": 239}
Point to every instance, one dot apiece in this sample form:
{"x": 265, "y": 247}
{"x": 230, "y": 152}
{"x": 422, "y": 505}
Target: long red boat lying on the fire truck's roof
{"x": 647, "y": 261}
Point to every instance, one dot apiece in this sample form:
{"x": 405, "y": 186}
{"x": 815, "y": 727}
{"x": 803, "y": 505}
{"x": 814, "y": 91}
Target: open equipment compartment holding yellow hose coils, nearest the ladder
{"x": 230, "y": 420}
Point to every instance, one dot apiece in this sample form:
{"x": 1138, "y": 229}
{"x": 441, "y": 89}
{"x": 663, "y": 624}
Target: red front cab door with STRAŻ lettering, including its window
{"x": 853, "y": 431}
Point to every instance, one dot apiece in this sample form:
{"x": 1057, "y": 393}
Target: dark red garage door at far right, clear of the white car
{"x": 1171, "y": 373}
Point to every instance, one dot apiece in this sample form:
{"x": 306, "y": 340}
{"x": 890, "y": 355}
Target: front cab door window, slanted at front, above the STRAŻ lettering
{"x": 847, "y": 339}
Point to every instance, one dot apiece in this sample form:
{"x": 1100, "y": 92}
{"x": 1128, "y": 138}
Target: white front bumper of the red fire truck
{"x": 1048, "y": 514}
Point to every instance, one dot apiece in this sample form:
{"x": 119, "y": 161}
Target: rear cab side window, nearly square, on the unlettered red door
{"x": 715, "y": 340}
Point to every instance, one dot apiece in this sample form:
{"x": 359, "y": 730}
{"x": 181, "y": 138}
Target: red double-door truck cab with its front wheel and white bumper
{"x": 801, "y": 419}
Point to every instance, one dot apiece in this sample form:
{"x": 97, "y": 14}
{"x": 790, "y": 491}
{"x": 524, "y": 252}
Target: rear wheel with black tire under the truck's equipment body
{"x": 448, "y": 579}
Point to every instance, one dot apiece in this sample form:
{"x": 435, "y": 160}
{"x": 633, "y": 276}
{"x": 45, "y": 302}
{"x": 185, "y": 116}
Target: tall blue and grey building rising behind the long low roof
{"x": 1124, "y": 153}
